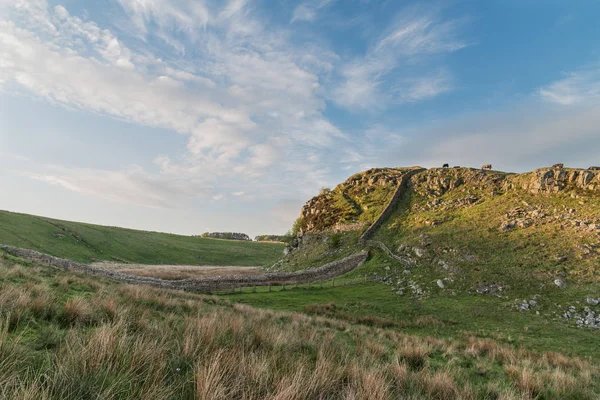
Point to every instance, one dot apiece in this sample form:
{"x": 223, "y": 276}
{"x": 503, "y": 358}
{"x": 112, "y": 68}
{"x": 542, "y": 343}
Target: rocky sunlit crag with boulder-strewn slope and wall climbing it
{"x": 457, "y": 231}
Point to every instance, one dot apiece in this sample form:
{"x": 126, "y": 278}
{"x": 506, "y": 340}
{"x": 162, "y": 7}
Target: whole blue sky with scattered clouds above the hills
{"x": 188, "y": 116}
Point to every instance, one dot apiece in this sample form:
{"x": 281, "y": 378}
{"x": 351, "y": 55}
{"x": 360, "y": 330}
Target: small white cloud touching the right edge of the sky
{"x": 577, "y": 87}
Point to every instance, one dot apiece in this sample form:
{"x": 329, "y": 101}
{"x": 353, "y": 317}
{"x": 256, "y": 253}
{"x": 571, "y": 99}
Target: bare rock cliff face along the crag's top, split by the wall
{"x": 358, "y": 201}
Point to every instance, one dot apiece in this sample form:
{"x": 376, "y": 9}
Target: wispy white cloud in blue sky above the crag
{"x": 415, "y": 35}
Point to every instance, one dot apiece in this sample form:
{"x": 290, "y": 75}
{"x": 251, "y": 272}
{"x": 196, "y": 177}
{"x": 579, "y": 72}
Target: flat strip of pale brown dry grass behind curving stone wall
{"x": 174, "y": 272}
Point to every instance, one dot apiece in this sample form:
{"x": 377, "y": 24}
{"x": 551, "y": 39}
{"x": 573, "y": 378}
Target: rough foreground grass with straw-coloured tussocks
{"x": 68, "y": 336}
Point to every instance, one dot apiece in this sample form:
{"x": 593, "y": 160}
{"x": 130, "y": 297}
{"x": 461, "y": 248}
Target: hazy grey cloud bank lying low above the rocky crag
{"x": 523, "y": 137}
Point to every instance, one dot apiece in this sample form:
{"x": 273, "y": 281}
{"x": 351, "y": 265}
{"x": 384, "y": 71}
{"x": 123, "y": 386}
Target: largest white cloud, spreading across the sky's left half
{"x": 246, "y": 89}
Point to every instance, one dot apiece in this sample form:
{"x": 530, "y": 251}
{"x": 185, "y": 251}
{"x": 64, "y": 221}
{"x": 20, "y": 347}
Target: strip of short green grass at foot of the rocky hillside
{"x": 459, "y": 316}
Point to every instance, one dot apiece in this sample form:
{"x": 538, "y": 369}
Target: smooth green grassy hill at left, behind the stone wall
{"x": 88, "y": 243}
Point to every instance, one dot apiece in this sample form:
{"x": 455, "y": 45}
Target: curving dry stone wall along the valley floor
{"x": 324, "y": 272}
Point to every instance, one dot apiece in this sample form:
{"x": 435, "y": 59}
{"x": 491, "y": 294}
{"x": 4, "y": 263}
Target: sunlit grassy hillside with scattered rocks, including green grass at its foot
{"x": 479, "y": 251}
